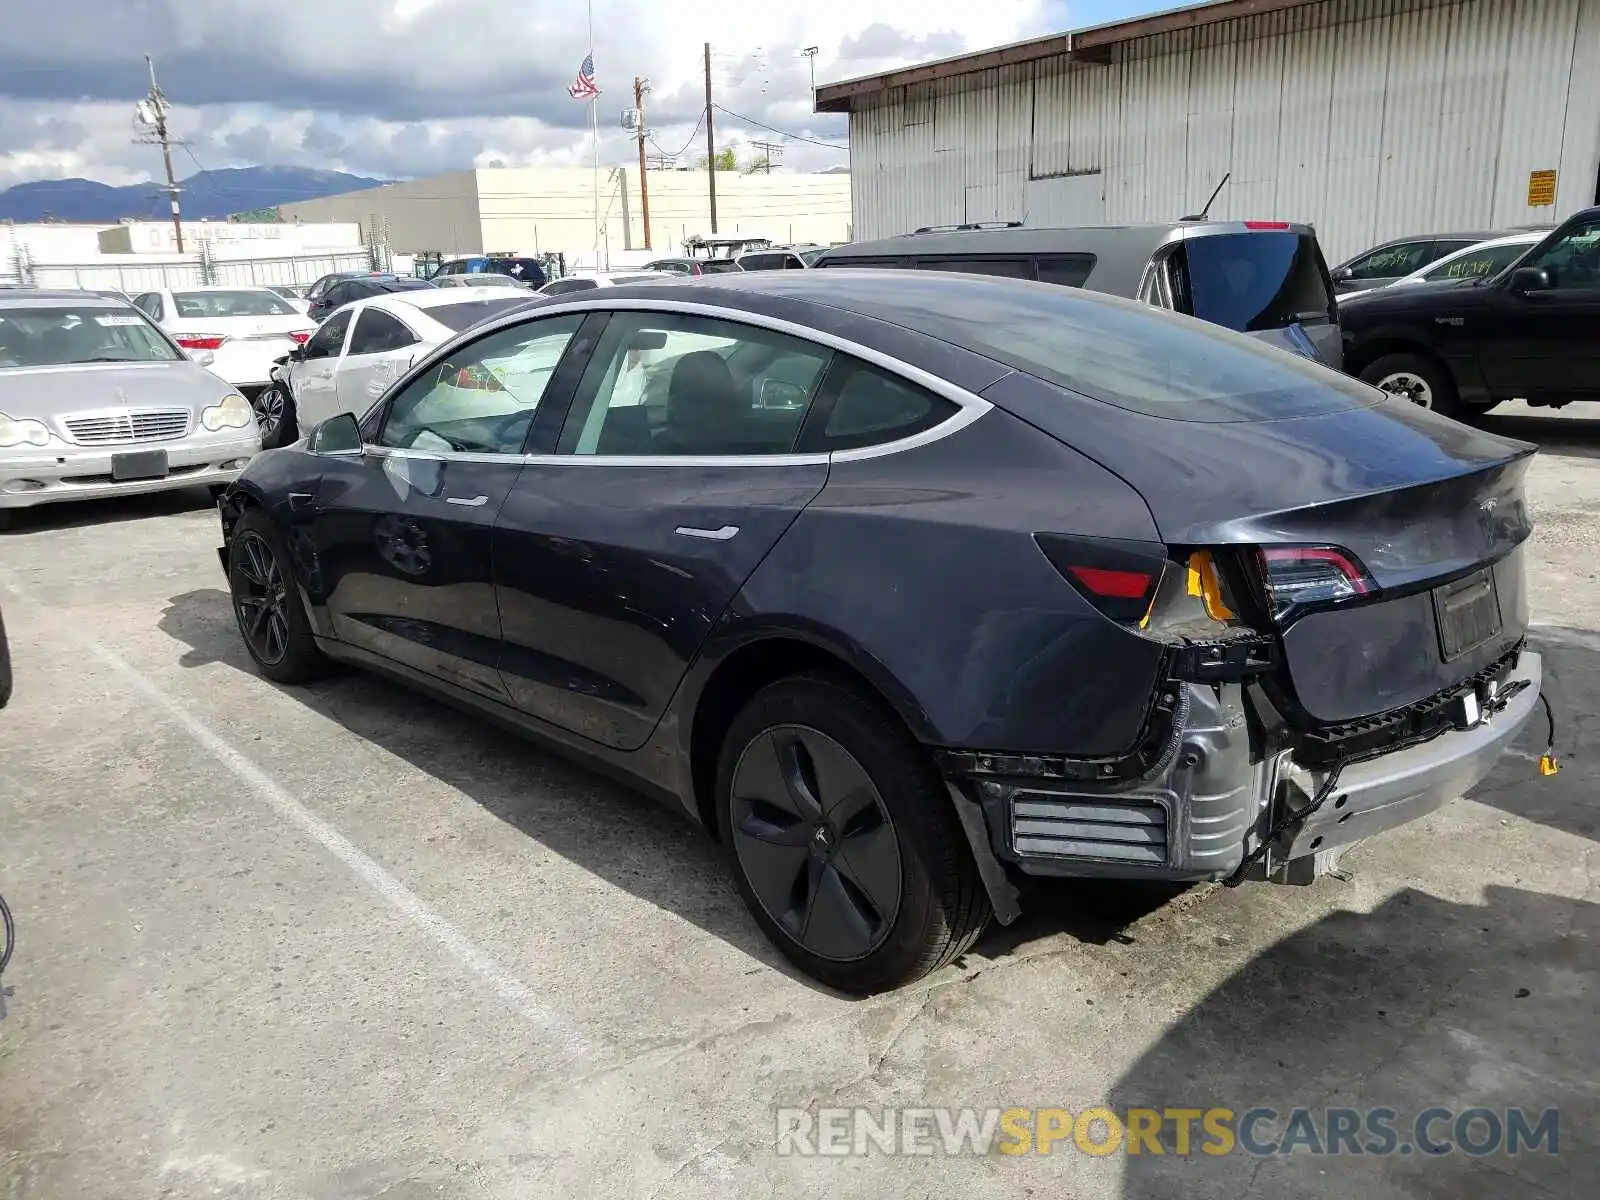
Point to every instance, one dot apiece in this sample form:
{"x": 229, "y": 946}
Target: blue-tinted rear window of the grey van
{"x": 1254, "y": 282}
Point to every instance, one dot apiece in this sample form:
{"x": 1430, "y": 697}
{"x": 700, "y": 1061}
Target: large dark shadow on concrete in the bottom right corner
{"x": 1415, "y": 1006}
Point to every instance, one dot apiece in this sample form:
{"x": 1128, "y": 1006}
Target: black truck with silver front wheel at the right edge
{"x": 1463, "y": 346}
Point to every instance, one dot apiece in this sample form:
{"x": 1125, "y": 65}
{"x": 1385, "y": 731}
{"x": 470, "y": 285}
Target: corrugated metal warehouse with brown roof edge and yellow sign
{"x": 1370, "y": 119}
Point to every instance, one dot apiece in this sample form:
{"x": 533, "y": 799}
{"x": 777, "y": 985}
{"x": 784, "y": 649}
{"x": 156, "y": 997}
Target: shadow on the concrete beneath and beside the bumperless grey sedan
{"x": 622, "y": 836}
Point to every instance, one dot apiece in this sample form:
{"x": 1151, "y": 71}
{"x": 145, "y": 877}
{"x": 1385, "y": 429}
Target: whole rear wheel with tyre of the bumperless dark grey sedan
{"x": 842, "y": 839}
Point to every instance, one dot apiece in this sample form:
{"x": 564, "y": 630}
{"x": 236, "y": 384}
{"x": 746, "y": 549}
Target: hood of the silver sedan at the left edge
{"x": 50, "y": 391}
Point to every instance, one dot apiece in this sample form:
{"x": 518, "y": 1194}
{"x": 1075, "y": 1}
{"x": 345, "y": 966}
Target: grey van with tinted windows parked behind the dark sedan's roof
{"x": 1262, "y": 278}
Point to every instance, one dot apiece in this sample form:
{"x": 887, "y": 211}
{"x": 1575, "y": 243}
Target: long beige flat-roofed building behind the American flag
{"x": 537, "y": 210}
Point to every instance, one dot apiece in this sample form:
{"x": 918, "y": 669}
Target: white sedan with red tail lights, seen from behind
{"x": 244, "y": 329}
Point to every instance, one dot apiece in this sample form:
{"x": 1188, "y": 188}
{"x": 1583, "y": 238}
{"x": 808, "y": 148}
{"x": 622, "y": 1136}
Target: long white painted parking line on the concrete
{"x": 462, "y": 948}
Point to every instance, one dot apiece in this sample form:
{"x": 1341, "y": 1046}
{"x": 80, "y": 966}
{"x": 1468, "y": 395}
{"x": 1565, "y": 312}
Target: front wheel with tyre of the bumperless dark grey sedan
{"x": 268, "y": 604}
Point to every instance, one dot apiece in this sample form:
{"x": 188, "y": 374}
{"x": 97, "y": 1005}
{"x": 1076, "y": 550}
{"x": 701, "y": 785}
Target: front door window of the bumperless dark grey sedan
{"x": 481, "y": 399}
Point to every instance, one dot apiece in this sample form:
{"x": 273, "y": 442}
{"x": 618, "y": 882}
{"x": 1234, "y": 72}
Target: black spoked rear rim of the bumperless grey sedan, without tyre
{"x": 817, "y": 844}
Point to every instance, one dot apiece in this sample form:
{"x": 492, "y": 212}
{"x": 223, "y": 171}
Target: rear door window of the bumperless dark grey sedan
{"x": 678, "y": 385}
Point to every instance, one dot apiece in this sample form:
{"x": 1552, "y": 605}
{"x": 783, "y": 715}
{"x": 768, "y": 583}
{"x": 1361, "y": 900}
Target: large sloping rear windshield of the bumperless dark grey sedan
{"x": 1129, "y": 354}
